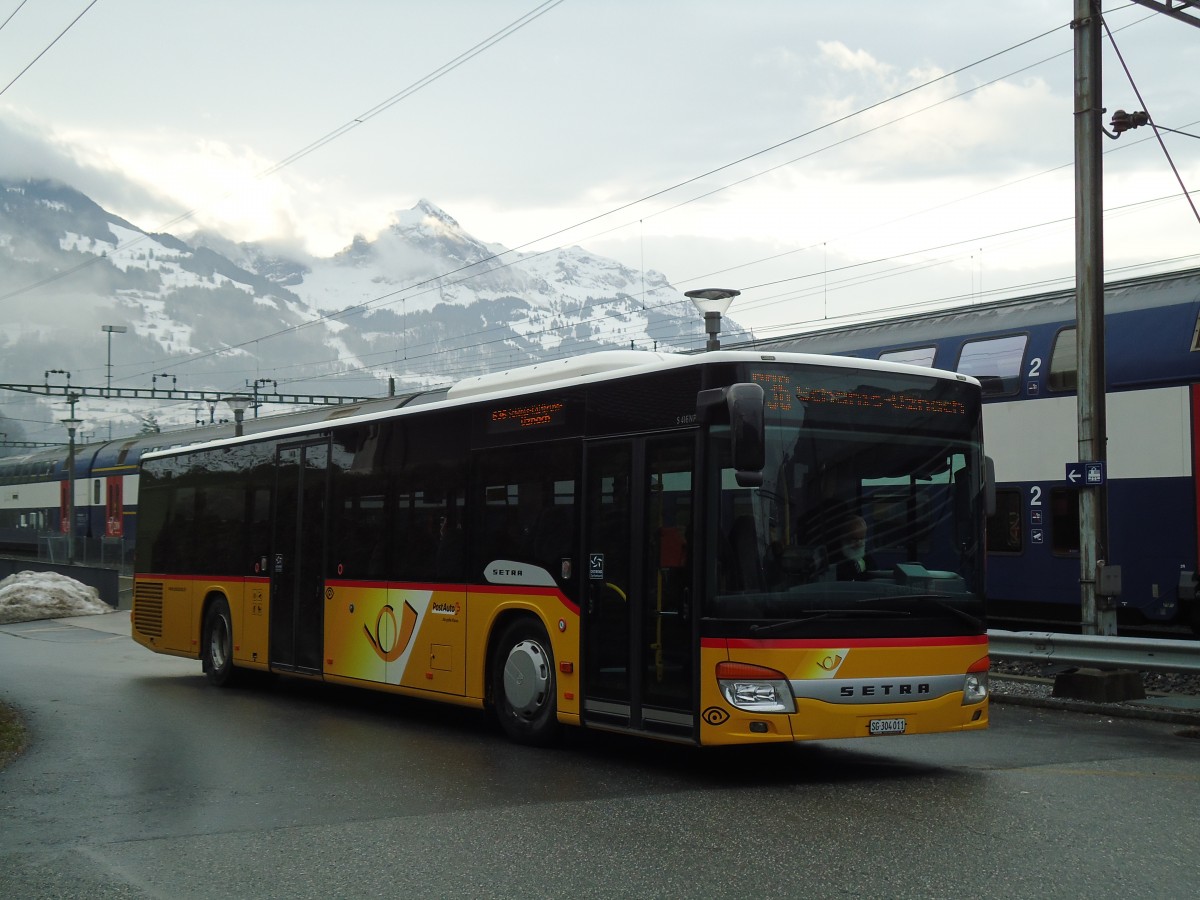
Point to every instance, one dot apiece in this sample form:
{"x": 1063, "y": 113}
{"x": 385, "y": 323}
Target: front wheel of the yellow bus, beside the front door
{"x": 524, "y": 685}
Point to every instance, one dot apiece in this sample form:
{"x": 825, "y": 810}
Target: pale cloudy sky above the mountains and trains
{"x": 826, "y": 159}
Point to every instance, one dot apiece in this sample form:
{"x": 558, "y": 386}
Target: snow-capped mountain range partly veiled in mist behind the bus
{"x": 422, "y": 303}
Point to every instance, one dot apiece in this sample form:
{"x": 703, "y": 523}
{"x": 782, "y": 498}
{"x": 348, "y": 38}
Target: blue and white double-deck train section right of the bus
{"x": 1024, "y": 353}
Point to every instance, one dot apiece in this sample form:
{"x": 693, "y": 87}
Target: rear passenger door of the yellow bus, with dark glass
{"x": 298, "y": 561}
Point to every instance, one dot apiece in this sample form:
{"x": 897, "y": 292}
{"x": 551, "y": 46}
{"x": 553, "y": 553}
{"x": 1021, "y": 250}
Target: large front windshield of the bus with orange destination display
{"x": 869, "y": 512}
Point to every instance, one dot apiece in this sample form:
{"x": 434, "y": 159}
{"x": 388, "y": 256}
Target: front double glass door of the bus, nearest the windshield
{"x": 639, "y": 646}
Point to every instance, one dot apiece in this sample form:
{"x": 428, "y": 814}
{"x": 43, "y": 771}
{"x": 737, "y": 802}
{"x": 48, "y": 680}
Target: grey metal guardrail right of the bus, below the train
{"x": 1096, "y": 651}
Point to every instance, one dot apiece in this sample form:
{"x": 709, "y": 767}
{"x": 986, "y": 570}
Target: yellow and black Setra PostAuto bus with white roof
{"x": 717, "y": 549}
